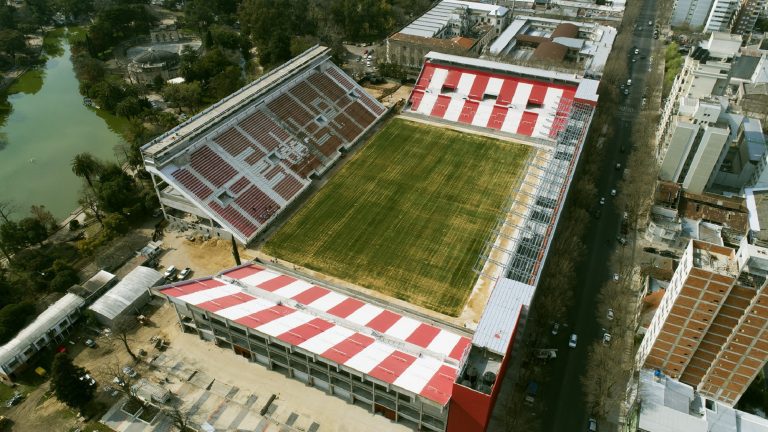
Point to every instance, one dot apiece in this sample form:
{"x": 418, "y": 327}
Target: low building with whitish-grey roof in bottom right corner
{"x": 666, "y": 405}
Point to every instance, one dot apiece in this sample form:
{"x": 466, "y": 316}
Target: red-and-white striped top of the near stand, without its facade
{"x": 385, "y": 345}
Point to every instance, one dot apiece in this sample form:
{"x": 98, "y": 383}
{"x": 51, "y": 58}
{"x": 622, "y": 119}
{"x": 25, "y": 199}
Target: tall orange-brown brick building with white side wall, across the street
{"x": 710, "y": 329}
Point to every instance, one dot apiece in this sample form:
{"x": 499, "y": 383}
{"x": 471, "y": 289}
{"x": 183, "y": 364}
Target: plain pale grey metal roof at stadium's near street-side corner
{"x": 497, "y": 325}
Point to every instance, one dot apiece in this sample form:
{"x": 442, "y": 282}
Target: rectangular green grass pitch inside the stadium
{"x": 407, "y": 216}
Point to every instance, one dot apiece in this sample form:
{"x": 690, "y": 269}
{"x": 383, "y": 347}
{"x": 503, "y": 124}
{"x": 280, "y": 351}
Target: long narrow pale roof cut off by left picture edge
{"x": 47, "y": 320}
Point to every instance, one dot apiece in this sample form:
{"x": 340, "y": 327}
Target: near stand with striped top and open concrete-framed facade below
{"x": 367, "y": 353}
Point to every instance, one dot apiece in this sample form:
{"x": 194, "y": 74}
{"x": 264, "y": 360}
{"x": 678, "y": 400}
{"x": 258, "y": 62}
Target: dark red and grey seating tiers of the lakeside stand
{"x": 254, "y": 166}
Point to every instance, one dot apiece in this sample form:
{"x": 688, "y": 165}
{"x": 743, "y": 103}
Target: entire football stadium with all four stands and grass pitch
{"x": 438, "y": 224}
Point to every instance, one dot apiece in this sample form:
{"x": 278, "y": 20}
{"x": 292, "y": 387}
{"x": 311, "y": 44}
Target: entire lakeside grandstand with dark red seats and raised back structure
{"x": 234, "y": 167}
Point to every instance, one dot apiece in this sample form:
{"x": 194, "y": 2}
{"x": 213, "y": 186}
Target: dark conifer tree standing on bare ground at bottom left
{"x": 67, "y": 384}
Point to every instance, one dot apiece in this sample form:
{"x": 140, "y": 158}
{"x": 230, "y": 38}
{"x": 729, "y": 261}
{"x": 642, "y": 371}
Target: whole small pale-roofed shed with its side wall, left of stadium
{"x": 127, "y": 296}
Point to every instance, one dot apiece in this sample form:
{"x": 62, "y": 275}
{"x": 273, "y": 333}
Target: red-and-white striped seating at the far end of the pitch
{"x": 503, "y": 102}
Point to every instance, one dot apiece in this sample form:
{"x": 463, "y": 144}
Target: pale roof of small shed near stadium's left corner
{"x": 125, "y": 293}
